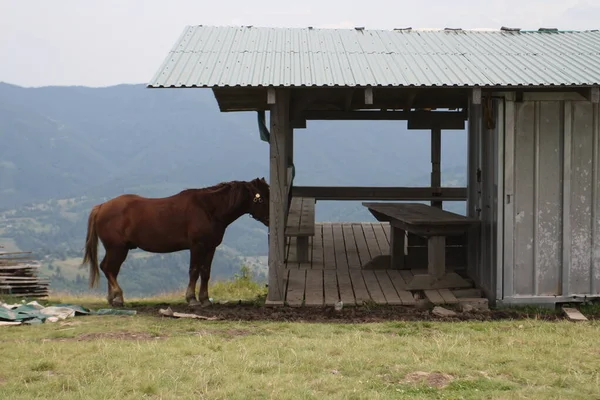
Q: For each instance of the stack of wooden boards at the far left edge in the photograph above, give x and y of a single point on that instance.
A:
(19, 276)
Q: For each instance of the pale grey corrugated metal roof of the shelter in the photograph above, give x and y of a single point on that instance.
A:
(249, 56)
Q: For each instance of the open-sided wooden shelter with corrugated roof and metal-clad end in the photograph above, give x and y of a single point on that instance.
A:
(530, 103)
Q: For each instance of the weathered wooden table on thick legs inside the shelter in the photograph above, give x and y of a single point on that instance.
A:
(423, 220)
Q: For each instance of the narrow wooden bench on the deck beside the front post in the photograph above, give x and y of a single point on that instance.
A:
(301, 224)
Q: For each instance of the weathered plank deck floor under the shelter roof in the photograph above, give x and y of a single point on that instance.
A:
(350, 262)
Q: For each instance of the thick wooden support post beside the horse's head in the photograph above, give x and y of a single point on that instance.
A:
(277, 173)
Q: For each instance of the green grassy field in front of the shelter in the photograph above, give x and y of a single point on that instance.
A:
(155, 357)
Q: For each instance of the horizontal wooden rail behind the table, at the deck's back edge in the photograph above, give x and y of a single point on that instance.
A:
(381, 193)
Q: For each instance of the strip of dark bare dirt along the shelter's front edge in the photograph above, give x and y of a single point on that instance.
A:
(246, 312)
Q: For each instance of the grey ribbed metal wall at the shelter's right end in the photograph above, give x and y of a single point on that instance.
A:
(550, 227)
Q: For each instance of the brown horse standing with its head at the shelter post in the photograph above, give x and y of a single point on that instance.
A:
(194, 219)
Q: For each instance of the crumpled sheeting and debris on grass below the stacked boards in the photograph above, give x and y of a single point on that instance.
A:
(34, 313)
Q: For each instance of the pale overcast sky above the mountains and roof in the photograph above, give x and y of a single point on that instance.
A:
(107, 42)
